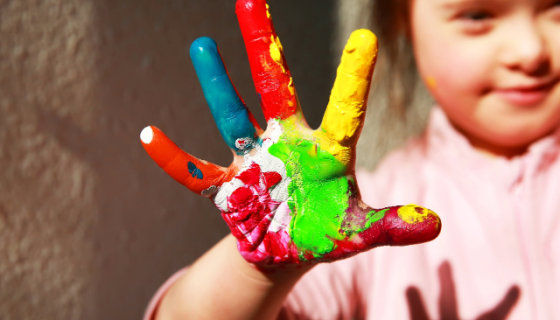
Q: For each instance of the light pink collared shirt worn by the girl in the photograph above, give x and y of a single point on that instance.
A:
(498, 253)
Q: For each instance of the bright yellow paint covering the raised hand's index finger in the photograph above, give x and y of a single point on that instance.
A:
(345, 112)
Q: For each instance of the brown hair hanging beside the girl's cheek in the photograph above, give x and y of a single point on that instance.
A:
(400, 76)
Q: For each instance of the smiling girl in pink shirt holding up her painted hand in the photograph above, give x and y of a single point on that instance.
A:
(487, 163)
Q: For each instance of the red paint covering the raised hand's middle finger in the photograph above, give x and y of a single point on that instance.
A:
(270, 81)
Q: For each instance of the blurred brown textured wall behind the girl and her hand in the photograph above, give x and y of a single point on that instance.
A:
(90, 227)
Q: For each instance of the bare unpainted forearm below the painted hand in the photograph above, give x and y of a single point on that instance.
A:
(222, 285)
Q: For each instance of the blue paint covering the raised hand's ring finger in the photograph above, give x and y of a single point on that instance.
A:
(229, 111)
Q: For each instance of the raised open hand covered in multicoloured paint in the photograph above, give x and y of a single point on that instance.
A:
(290, 195)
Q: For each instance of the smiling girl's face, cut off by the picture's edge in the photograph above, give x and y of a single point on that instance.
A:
(493, 66)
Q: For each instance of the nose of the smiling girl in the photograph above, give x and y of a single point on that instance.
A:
(527, 50)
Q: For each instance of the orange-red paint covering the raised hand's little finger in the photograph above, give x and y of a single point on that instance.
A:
(175, 162)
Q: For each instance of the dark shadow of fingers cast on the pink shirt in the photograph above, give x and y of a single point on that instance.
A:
(448, 309)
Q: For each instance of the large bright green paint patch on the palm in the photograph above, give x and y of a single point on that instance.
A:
(319, 193)
